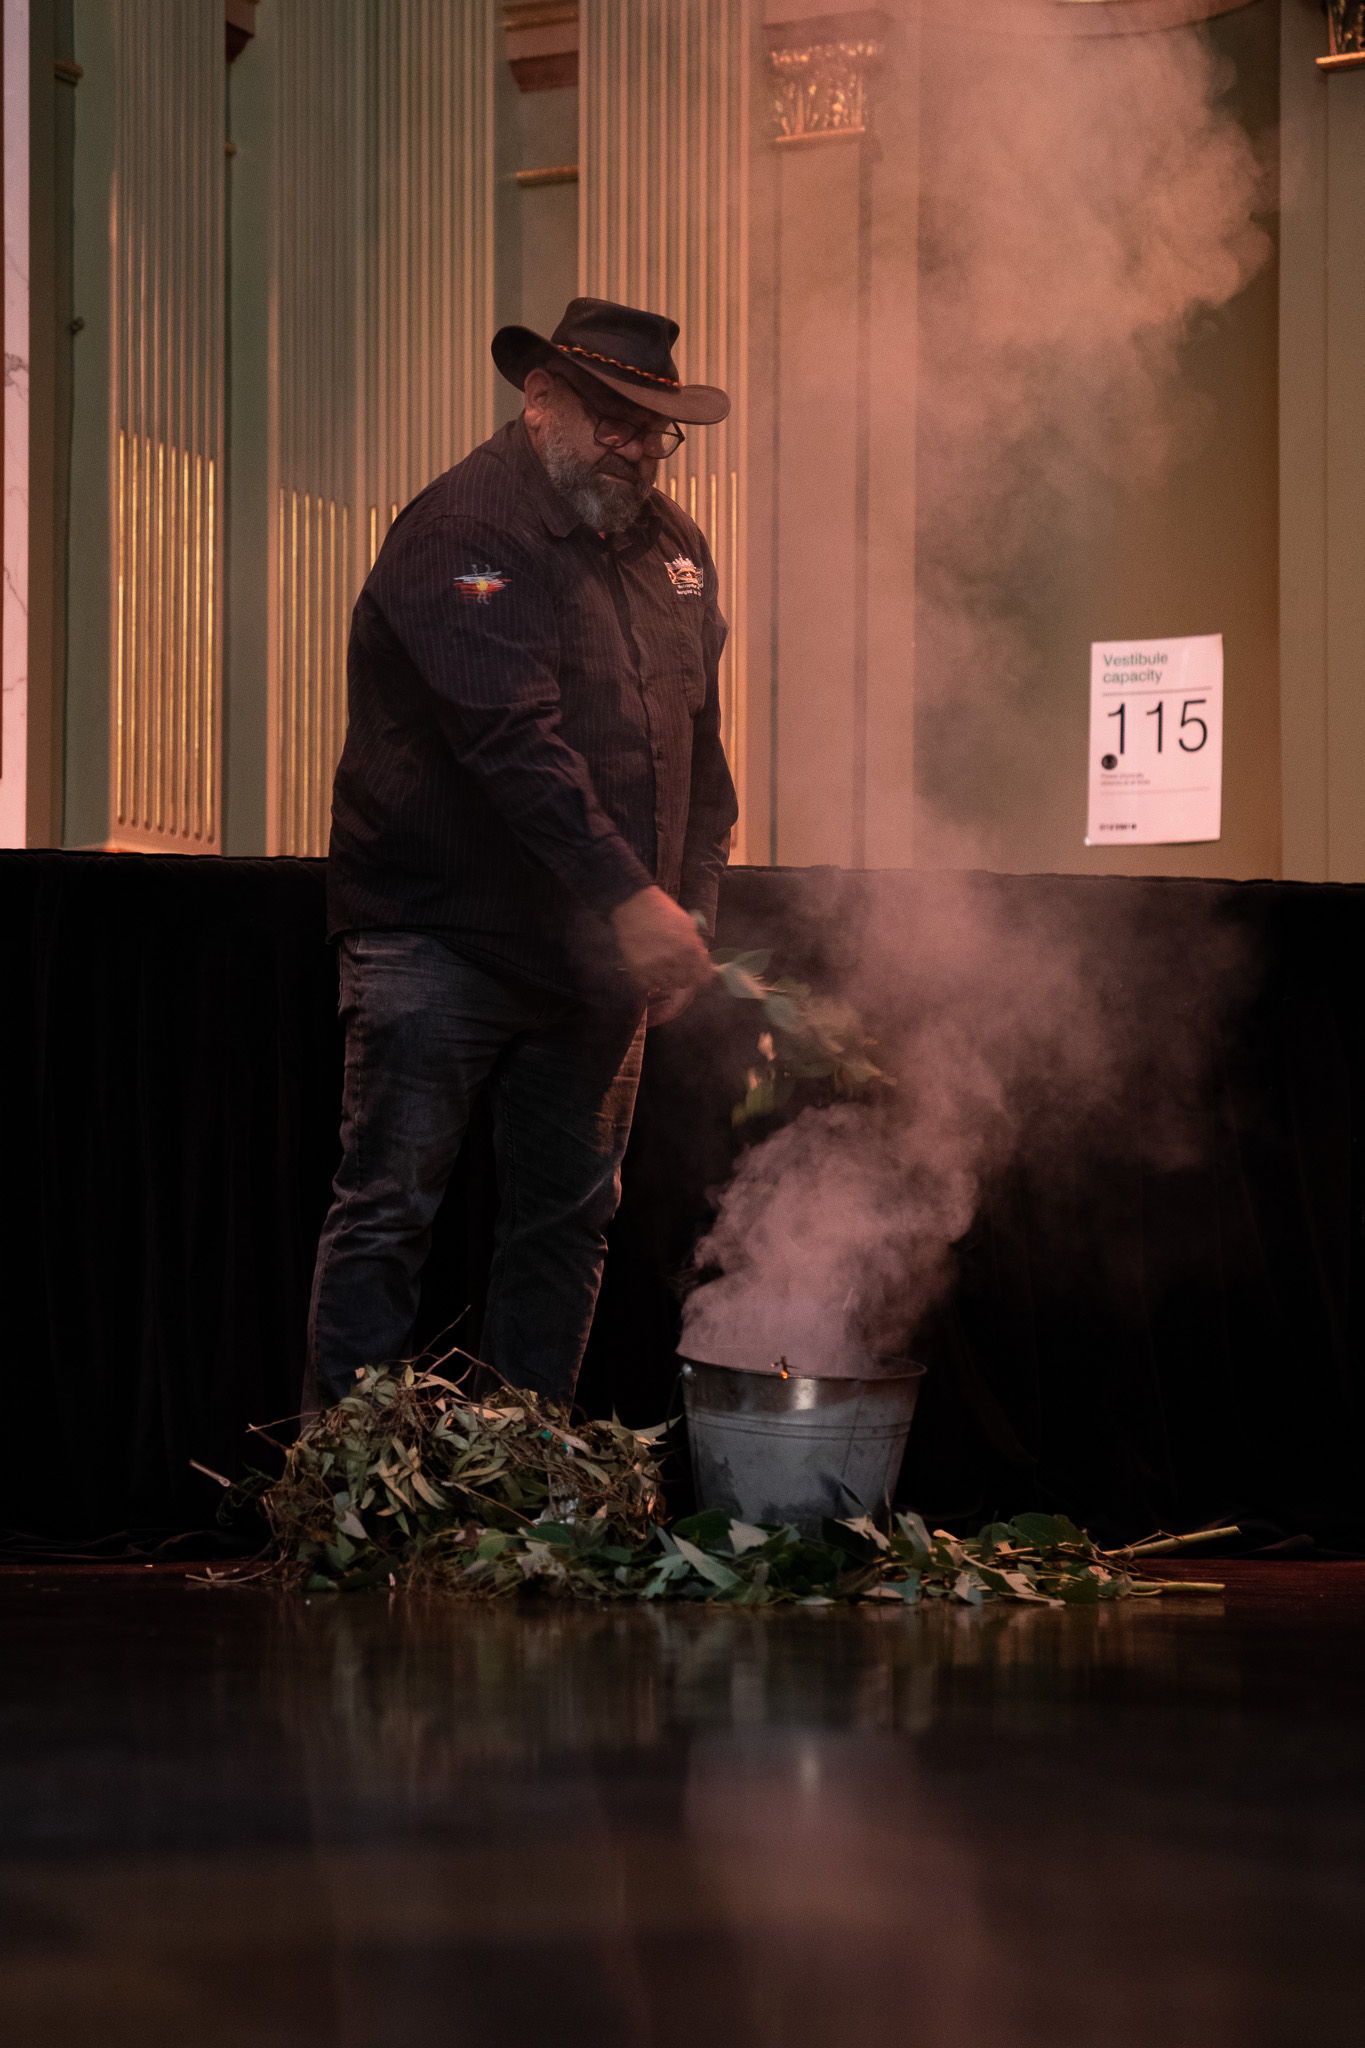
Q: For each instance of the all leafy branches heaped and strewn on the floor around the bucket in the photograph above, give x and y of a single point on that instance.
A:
(416, 1482)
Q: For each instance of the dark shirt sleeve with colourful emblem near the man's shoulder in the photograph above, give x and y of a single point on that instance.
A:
(480, 628)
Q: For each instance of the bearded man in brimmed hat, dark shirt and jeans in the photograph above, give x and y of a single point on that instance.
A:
(531, 818)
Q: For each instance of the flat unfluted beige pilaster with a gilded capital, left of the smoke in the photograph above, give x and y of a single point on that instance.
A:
(836, 423)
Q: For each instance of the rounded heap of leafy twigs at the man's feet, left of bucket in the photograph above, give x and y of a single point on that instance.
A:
(412, 1480)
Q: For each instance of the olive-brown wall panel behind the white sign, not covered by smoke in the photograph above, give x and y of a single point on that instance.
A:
(1190, 550)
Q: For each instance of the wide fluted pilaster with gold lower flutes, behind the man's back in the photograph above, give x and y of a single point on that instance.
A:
(384, 312)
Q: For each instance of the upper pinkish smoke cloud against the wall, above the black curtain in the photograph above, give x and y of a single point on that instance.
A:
(1088, 206)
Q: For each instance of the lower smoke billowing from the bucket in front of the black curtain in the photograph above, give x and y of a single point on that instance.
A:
(1018, 1021)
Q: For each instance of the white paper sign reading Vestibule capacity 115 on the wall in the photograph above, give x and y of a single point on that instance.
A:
(1157, 742)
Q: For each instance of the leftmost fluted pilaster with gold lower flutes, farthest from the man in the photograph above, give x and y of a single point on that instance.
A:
(169, 304)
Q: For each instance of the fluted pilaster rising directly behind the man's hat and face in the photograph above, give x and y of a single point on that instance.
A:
(664, 222)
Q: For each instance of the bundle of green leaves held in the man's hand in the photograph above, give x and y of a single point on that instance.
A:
(807, 1039)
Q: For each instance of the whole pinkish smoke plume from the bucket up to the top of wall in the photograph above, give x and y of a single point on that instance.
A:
(1086, 204)
